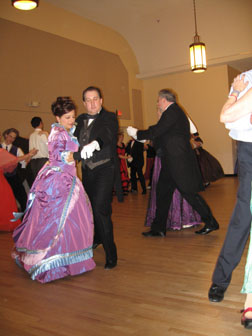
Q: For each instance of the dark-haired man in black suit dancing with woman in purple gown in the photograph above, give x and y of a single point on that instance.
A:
(97, 134)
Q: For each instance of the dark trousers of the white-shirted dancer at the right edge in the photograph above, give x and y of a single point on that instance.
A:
(240, 223)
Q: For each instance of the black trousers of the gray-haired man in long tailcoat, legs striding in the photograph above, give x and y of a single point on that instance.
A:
(165, 189)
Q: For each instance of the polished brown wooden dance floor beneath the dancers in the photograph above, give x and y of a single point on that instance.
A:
(159, 287)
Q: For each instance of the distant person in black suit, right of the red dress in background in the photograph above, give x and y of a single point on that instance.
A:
(135, 150)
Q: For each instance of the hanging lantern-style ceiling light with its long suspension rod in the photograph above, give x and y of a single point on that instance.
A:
(197, 50)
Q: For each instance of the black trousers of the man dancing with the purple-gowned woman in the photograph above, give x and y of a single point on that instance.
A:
(98, 183)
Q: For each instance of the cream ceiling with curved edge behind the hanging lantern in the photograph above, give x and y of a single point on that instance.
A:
(160, 31)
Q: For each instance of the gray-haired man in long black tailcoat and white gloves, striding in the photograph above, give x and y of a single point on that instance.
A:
(180, 170)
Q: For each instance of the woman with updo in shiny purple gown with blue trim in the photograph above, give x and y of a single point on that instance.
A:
(56, 235)
